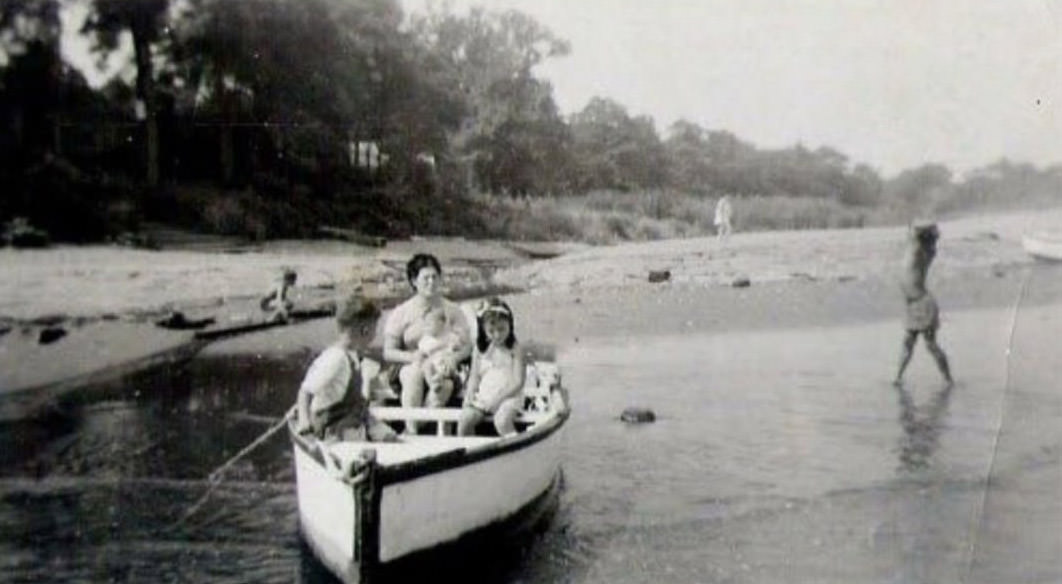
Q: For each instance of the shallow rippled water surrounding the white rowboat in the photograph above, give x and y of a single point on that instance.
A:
(780, 456)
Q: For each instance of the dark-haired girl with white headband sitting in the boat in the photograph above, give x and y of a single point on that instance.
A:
(498, 376)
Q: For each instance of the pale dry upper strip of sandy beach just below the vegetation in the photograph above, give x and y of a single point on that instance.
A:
(93, 282)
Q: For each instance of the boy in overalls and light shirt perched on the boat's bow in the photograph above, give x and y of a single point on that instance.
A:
(332, 404)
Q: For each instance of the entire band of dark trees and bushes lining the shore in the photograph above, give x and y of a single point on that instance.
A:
(270, 118)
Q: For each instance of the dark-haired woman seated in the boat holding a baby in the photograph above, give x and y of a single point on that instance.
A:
(408, 324)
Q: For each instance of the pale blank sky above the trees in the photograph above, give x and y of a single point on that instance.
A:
(894, 84)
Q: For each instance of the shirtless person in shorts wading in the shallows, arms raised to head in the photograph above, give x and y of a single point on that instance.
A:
(922, 316)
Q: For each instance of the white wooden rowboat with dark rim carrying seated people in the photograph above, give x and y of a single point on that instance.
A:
(369, 509)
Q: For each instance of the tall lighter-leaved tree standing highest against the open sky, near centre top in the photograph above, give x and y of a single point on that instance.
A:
(511, 136)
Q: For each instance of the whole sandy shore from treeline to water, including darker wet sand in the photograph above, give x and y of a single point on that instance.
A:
(792, 280)
